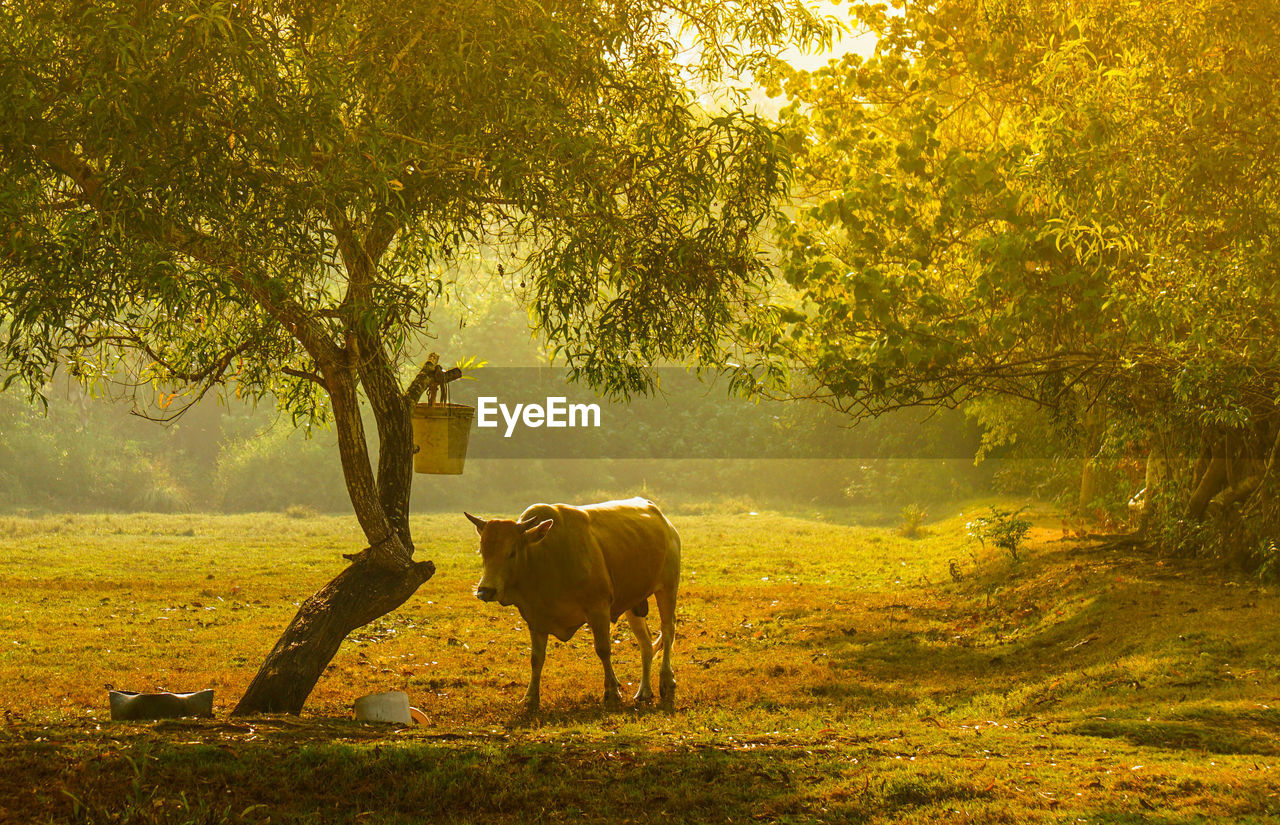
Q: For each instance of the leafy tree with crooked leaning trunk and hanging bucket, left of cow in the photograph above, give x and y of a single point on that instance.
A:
(271, 196)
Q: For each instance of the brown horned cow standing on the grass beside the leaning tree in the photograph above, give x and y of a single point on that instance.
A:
(565, 567)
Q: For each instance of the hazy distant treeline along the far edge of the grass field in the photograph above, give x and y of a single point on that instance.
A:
(710, 448)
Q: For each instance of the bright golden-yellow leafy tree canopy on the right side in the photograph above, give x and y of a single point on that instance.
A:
(1066, 207)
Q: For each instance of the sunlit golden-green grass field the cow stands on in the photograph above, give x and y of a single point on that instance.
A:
(829, 673)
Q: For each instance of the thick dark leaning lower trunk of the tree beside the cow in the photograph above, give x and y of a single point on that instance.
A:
(359, 595)
